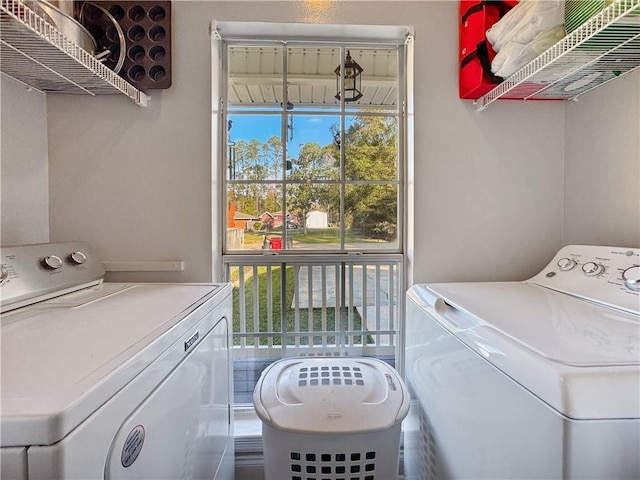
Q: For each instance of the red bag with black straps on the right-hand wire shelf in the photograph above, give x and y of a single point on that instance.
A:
(476, 54)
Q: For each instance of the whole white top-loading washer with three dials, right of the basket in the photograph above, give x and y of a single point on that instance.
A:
(536, 379)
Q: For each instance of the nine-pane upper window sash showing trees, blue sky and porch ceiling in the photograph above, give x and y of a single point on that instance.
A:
(304, 169)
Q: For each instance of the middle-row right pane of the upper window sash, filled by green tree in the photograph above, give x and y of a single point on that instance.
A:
(371, 151)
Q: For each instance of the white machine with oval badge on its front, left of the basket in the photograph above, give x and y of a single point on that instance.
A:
(108, 380)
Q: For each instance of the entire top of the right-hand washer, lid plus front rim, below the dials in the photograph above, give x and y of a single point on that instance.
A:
(581, 358)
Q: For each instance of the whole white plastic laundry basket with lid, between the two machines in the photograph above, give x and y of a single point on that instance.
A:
(331, 419)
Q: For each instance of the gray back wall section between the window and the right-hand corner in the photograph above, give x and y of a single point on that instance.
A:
(488, 185)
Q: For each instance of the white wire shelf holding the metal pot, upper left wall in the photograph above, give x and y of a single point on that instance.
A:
(34, 52)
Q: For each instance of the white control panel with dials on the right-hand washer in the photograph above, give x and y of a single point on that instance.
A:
(606, 275)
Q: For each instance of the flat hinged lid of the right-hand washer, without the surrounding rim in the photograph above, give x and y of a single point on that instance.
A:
(556, 326)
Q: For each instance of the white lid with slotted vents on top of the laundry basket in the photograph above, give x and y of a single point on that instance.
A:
(331, 395)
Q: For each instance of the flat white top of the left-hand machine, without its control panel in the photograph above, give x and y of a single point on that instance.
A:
(62, 359)
